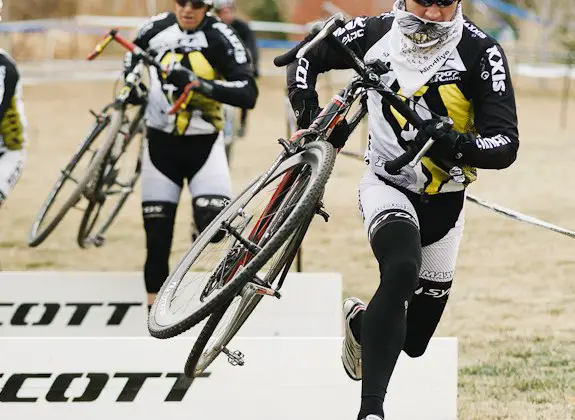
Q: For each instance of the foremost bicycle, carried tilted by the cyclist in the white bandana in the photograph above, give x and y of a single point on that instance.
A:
(259, 246)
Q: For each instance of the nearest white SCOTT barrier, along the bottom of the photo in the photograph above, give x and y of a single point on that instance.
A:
(283, 379)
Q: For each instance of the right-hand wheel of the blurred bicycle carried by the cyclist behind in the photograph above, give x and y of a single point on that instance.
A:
(121, 170)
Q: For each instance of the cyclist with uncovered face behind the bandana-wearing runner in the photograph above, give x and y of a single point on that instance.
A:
(188, 145)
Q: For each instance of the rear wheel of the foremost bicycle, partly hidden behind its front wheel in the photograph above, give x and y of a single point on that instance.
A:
(225, 323)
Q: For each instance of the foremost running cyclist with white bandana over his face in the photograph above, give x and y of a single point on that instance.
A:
(414, 220)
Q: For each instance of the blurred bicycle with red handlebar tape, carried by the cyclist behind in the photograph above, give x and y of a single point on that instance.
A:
(101, 176)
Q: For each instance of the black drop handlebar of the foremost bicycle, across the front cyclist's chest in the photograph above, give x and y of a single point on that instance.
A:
(370, 73)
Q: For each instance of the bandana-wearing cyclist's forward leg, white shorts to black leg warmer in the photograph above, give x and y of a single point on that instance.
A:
(393, 231)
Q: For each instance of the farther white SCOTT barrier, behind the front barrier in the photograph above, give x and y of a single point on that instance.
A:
(89, 304)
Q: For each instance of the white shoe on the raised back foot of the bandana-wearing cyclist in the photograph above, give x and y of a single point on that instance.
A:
(351, 349)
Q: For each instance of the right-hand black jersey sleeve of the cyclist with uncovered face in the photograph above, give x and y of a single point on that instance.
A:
(229, 57)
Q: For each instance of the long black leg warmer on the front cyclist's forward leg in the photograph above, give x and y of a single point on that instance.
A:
(396, 244)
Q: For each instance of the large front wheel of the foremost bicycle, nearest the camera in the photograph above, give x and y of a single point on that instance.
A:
(256, 224)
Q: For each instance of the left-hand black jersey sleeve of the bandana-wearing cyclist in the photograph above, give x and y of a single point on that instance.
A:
(357, 34)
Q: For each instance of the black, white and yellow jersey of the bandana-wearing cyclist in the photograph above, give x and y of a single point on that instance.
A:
(473, 87)
